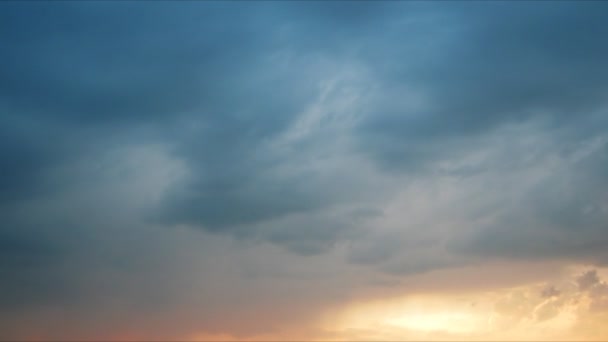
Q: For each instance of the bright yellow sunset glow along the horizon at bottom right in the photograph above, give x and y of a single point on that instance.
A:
(519, 313)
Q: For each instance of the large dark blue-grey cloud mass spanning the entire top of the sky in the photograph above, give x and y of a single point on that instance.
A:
(225, 114)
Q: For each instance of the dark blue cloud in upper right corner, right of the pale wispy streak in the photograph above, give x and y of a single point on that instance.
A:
(481, 67)
